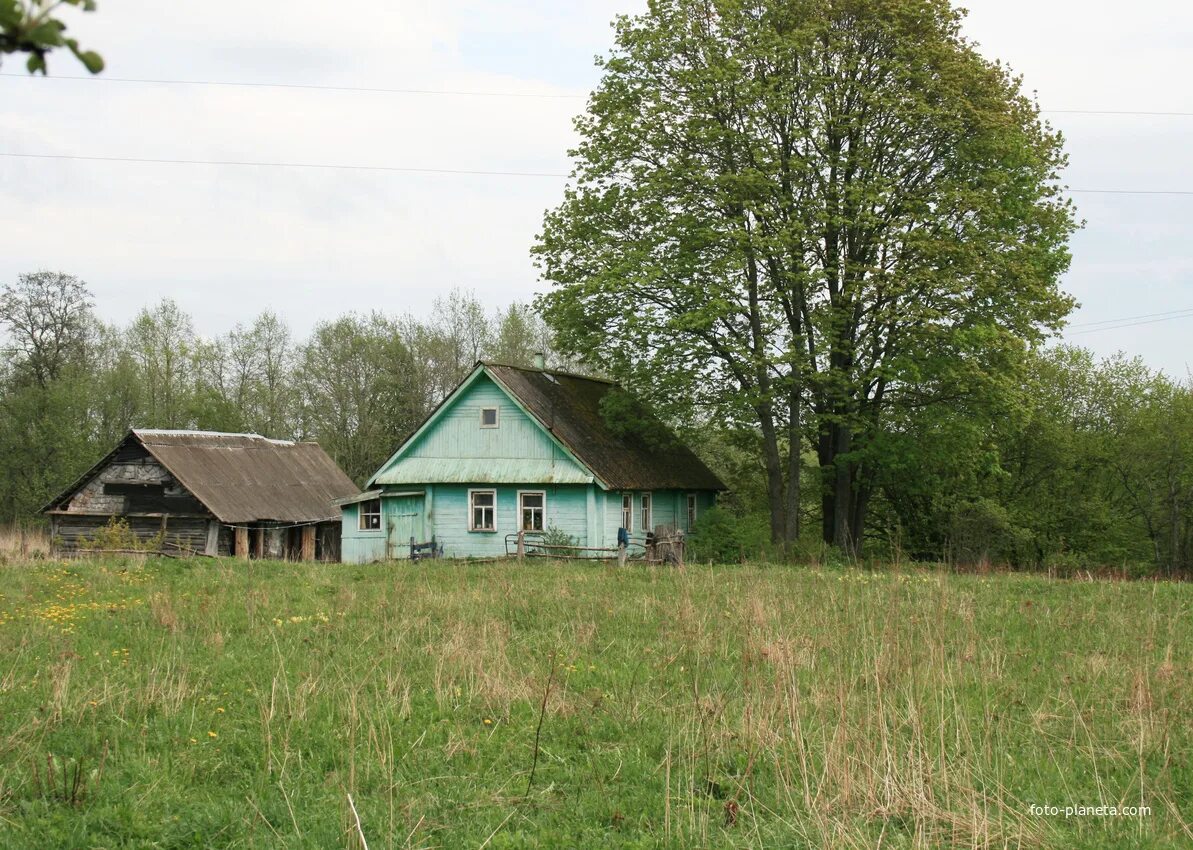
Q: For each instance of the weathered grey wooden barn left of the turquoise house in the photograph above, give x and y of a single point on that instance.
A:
(209, 494)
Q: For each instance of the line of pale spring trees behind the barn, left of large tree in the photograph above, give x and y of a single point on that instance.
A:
(71, 386)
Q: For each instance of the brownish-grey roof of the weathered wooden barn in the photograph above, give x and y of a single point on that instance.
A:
(244, 478)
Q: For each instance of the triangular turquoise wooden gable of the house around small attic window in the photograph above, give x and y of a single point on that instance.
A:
(458, 449)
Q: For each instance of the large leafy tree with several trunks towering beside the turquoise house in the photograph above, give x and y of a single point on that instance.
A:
(809, 218)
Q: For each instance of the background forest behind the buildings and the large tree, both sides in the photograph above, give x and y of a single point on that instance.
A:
(1075, 465)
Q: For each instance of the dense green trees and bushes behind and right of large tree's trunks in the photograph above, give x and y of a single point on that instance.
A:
(1081, 465)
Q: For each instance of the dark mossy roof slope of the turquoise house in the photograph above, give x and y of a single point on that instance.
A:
(570, 408)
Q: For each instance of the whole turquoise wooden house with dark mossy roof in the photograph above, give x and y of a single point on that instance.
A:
(515, 451)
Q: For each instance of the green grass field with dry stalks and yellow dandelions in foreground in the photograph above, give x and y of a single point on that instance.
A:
(196, 705)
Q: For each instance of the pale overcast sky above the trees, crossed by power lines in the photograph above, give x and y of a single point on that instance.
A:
(227, 243)
